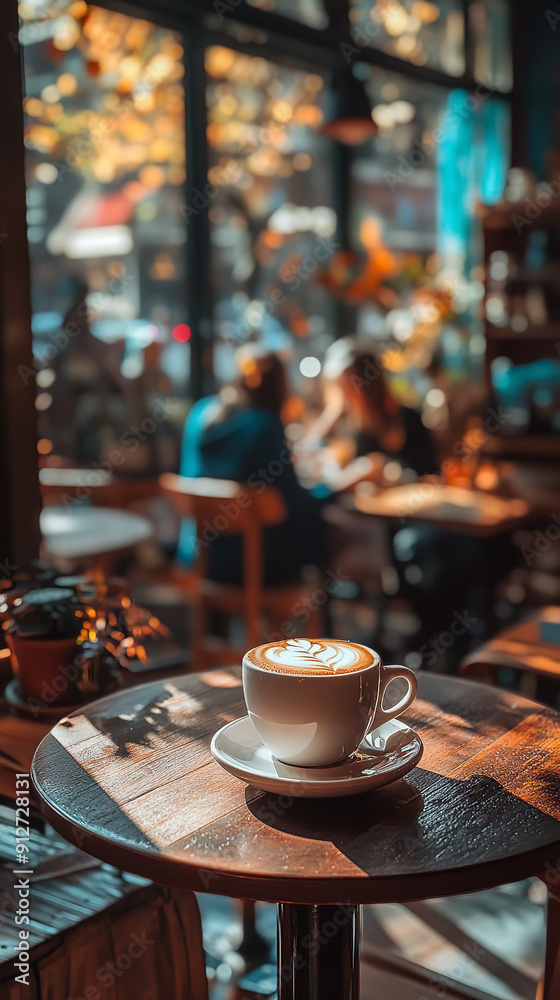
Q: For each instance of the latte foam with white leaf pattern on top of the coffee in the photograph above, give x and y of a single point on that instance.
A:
(311, 656)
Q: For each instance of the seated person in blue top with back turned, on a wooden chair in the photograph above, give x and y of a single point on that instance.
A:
(239, 435)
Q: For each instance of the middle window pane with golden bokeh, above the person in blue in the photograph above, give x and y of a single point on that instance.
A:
(273, 225)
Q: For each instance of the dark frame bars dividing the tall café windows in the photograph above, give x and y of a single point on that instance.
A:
(293, 44)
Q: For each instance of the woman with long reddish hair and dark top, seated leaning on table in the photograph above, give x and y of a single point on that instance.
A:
(439, 571)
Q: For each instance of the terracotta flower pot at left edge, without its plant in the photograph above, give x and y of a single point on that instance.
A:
(44, 669)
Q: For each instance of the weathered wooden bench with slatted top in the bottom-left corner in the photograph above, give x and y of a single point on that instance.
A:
(85, 919)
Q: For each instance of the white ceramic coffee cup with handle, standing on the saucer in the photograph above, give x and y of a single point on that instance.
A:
(314, 720)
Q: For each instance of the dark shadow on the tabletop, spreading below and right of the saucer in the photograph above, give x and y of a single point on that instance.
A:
(424, 823)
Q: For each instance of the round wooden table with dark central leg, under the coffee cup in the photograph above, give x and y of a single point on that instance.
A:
(130, 779)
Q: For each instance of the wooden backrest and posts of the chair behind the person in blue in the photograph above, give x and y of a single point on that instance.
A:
(224, 507)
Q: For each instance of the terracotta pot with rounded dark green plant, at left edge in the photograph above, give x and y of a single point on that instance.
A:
(41, 636)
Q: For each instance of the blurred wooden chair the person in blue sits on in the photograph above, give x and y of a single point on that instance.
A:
(223, 507)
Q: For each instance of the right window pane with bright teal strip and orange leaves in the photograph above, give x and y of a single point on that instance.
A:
(413, 194)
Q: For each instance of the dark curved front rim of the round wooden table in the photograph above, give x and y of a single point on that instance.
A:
(274, 889)
